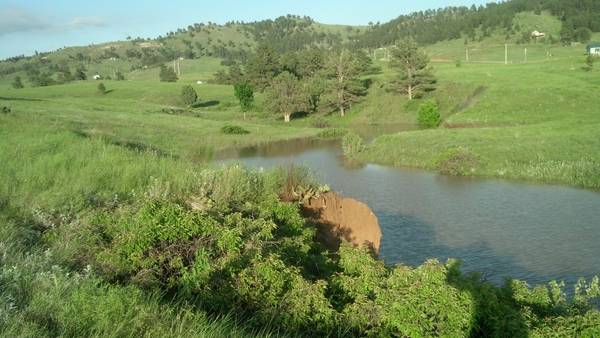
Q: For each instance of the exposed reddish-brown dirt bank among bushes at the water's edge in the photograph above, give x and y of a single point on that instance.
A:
(347, 219)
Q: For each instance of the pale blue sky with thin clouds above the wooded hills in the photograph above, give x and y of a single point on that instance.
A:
(43, 25)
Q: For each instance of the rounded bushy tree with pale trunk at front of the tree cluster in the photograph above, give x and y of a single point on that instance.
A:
(285, 95)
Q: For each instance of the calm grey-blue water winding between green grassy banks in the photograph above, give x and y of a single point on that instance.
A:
(502, 229)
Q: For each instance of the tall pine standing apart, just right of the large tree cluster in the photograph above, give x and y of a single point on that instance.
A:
(413, 77)
